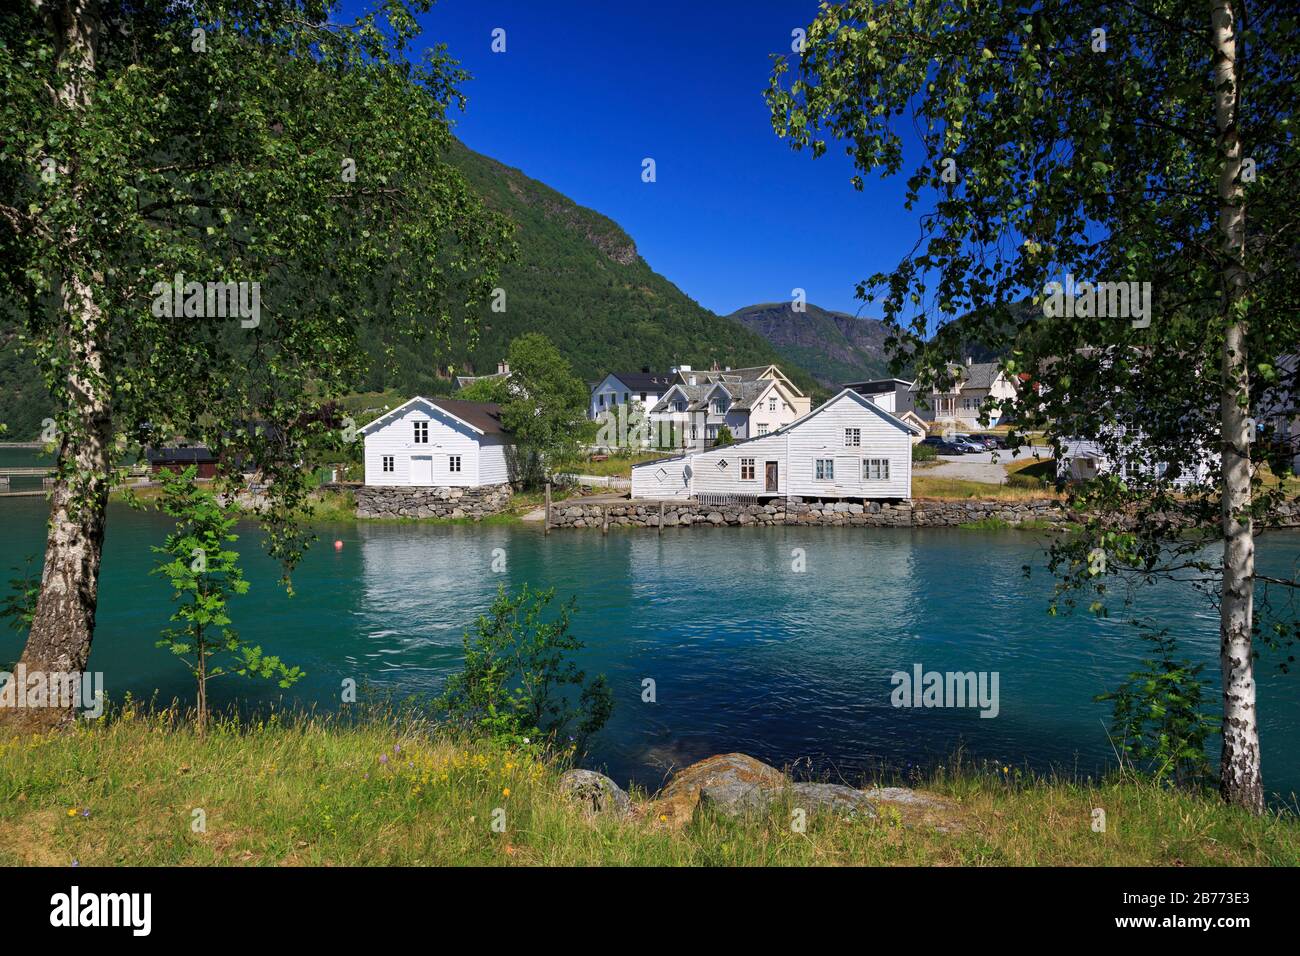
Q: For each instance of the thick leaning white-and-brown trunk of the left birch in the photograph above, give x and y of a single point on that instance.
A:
(64, 621)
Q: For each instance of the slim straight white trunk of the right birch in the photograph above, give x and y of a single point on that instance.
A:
(1241, 781)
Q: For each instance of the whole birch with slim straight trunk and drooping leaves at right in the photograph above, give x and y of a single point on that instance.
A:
(1142, 158)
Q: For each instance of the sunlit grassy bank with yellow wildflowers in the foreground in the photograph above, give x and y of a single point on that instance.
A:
(315, 791)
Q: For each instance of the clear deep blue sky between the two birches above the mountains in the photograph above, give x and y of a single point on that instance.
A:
(587, 89)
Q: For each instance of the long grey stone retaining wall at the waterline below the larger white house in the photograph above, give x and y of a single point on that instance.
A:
(879, 514)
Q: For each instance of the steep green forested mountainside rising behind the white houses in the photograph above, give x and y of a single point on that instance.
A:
(578, 279)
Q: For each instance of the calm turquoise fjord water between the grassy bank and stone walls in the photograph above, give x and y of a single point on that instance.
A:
(746, 654)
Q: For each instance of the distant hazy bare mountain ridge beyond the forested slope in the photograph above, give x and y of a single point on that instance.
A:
(834, 348)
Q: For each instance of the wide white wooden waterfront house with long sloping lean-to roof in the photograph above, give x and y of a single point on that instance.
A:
(848, 448)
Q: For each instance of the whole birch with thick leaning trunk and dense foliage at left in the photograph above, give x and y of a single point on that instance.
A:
(206, 206)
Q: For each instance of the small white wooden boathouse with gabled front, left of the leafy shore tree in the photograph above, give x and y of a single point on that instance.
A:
(437, 443)
